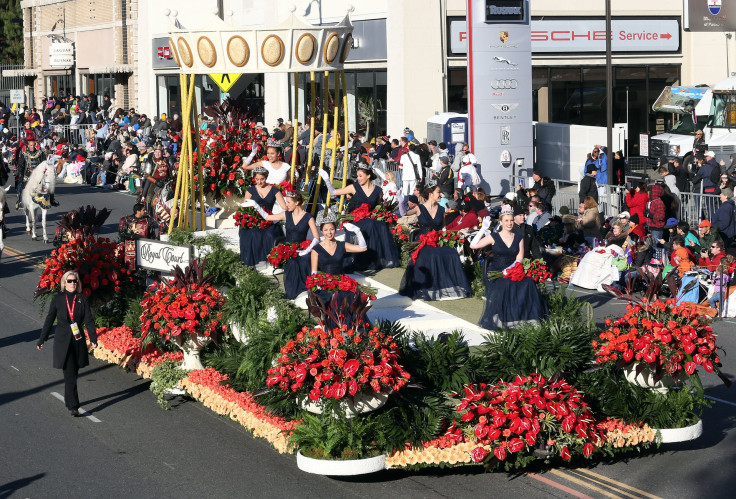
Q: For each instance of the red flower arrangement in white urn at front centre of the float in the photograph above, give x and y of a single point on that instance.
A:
(337, 363)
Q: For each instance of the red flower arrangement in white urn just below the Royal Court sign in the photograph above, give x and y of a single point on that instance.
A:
(185, 308)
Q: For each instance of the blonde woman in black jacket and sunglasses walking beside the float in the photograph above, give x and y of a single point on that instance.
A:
(70, 308)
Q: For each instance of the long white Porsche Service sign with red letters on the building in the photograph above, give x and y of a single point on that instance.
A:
(582, 35)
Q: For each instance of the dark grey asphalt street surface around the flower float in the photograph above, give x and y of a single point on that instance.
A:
(129, 447)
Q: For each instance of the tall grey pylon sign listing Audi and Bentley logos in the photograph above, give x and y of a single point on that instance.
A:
(499, 86)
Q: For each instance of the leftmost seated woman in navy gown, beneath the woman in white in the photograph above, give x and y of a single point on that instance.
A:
(256, 244)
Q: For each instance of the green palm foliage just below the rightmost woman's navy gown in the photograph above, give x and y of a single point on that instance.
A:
(562, 343)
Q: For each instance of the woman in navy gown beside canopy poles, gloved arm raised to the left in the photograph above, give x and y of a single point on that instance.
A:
(382, 252)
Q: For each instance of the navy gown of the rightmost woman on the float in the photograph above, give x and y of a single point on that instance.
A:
(510, 302)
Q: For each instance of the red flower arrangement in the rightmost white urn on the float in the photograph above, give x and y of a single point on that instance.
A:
(669, 338)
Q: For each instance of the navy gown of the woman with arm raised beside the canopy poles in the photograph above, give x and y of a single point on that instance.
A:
(382, 252)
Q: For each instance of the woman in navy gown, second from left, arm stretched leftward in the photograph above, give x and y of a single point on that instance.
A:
(298, 224)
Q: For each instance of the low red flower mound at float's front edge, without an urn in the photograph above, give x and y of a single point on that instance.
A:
(513, 419)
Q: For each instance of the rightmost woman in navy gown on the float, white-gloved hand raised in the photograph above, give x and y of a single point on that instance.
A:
(507, 302)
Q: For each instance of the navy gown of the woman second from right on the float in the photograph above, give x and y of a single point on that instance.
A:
(438, 273)
